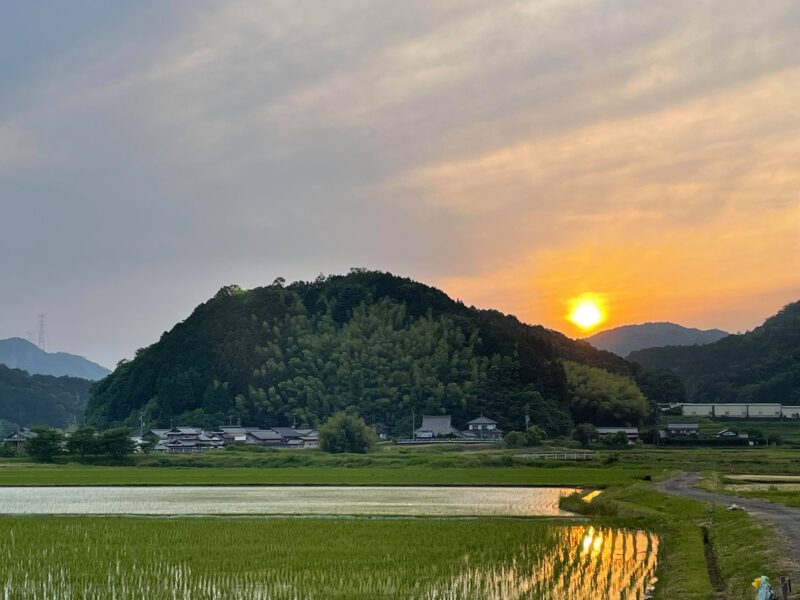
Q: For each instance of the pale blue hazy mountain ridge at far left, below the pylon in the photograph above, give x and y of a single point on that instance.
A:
(18, 353)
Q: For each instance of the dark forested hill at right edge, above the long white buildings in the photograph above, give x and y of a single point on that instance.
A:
(762, 365)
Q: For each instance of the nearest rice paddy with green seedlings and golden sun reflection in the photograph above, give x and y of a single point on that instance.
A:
(121, 558)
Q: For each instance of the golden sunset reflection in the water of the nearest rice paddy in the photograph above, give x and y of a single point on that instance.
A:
(583, 563)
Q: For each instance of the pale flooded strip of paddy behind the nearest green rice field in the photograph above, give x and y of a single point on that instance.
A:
(284, 500)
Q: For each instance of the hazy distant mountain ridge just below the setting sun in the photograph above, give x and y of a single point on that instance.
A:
(630, 338)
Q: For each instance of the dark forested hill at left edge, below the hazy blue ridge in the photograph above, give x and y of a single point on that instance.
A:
(40, 399)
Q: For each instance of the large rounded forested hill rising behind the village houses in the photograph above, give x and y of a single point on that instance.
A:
(381, 344)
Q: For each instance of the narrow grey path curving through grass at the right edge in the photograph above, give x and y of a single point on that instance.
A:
(785, 519)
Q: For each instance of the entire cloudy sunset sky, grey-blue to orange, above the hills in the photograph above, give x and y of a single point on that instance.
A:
(515, 154)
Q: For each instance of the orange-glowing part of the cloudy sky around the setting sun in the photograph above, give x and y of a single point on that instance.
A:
(690, 214)
